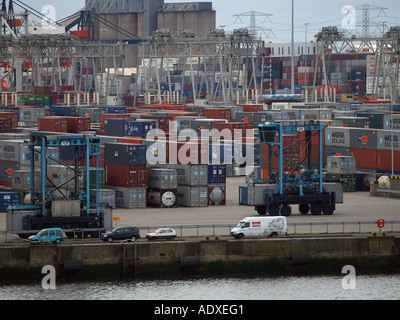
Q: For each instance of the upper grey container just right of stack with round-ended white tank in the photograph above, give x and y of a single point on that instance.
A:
(191, 175)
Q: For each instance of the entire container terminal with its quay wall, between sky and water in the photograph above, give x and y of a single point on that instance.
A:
(123, 118)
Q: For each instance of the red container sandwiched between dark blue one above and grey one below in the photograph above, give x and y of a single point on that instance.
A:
(126, 176)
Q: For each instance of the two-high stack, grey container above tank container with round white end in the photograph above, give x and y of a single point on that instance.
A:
(163, 188)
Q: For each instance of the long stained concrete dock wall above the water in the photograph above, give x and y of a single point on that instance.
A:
(213, 257)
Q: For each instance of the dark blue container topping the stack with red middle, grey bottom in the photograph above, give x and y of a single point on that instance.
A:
(125, 154)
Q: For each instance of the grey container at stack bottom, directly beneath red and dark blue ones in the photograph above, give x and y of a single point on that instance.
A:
(129, 198)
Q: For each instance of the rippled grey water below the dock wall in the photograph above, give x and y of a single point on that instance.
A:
(367, 287)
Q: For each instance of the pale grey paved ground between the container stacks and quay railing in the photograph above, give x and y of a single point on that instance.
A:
(358, 206)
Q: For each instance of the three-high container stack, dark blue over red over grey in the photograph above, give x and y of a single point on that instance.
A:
(126, 173)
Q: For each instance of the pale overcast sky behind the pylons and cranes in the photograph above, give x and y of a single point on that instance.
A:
(318, 13)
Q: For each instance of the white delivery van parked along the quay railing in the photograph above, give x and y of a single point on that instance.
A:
(260, 227)
